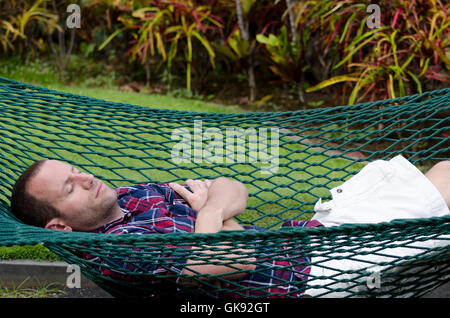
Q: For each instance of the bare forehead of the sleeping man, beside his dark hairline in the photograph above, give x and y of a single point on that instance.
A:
(48, 181)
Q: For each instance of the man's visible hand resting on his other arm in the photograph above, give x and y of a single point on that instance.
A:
(197, 198)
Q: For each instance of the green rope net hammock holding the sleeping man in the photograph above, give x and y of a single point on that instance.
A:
(316, 149)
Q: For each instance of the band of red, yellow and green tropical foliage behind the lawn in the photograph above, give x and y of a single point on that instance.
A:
(308, 46)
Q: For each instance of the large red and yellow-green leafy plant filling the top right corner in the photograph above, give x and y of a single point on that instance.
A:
(395, 59)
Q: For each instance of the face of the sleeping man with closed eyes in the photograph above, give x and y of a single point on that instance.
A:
(83, 201)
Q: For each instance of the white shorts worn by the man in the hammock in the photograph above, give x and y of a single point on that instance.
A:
(382, 191)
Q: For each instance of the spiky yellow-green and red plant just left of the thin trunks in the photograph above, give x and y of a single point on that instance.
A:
(162, 27)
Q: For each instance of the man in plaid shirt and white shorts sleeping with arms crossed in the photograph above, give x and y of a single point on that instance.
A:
(58, 196)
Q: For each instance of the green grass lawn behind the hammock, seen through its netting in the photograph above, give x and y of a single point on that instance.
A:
(290, 193)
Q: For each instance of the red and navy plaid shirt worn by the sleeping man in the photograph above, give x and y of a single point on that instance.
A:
(150, 208)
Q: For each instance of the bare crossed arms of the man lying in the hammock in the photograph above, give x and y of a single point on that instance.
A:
(217, 203)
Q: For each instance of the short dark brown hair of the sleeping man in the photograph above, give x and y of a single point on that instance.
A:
(27, 208)
